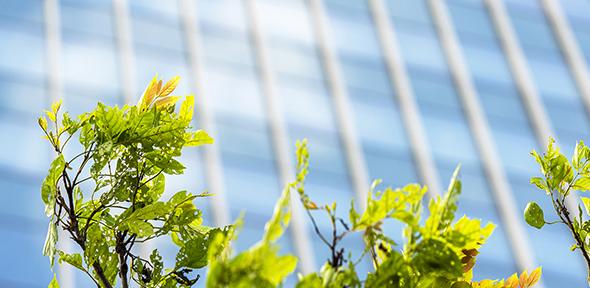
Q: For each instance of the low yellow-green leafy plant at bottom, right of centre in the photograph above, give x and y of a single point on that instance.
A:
(438, 252)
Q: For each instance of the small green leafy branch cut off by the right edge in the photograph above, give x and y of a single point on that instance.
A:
(561, 178)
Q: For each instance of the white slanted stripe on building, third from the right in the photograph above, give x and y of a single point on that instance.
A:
(481, 132)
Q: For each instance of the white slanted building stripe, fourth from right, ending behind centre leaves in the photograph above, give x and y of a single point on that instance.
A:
(409, 110)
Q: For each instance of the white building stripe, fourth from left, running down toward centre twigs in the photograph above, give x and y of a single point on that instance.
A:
(280, 140)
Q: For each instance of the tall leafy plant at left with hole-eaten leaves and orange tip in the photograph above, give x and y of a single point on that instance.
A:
(108, 196)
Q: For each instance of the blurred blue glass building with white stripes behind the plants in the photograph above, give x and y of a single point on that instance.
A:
(402, 90)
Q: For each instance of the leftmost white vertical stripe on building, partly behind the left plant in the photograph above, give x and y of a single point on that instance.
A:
(66, 273)
